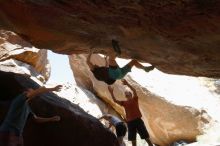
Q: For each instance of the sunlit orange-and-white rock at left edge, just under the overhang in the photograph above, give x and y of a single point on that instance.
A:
(14, 47)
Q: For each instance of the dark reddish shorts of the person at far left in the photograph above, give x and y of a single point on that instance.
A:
(10, 139)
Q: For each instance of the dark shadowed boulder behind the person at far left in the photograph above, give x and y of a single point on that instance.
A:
(75, 128)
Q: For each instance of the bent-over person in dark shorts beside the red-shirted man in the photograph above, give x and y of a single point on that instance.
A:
(119, 126)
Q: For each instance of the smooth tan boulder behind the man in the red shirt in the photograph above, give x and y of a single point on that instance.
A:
(166, 122)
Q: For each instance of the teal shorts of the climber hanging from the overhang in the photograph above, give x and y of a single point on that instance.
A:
(117, 72)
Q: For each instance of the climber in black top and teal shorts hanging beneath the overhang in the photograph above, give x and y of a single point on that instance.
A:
(111, 71)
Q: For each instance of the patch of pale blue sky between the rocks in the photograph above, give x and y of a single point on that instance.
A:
(60, 69)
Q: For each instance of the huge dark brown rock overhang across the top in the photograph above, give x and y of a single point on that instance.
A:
(177, 36)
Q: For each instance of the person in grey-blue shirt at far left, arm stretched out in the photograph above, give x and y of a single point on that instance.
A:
(14, 122)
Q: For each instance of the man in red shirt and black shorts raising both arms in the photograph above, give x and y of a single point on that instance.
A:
(133, 115)
